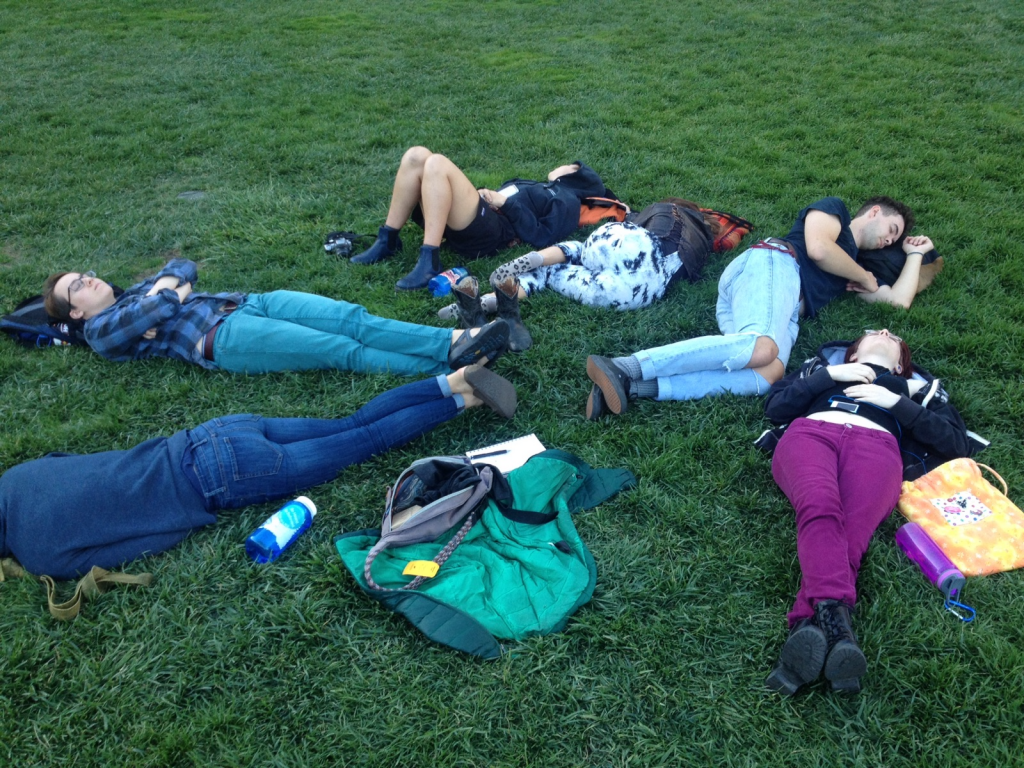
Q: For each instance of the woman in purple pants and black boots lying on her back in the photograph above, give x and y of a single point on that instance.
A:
(856, 430)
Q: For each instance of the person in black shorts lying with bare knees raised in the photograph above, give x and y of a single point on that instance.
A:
(435, 193)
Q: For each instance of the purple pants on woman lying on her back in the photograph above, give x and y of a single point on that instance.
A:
(843, 482)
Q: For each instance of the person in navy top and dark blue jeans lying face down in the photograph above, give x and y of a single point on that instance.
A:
(62, 515)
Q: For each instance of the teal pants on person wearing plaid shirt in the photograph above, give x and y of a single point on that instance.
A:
(290, 331)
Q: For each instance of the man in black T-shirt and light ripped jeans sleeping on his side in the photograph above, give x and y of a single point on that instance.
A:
(761, 296)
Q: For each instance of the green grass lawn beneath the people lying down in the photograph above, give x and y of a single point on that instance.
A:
(291, 117)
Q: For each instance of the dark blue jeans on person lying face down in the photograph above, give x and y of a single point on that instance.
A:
(244, 459)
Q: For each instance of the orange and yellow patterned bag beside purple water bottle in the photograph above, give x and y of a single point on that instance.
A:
(978, 528)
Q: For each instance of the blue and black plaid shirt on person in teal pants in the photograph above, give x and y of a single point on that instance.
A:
(117, 333)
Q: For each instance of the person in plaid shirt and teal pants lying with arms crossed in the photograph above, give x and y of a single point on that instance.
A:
(257, 333)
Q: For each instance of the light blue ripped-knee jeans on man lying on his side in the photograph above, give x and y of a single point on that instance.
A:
(758, 295)
